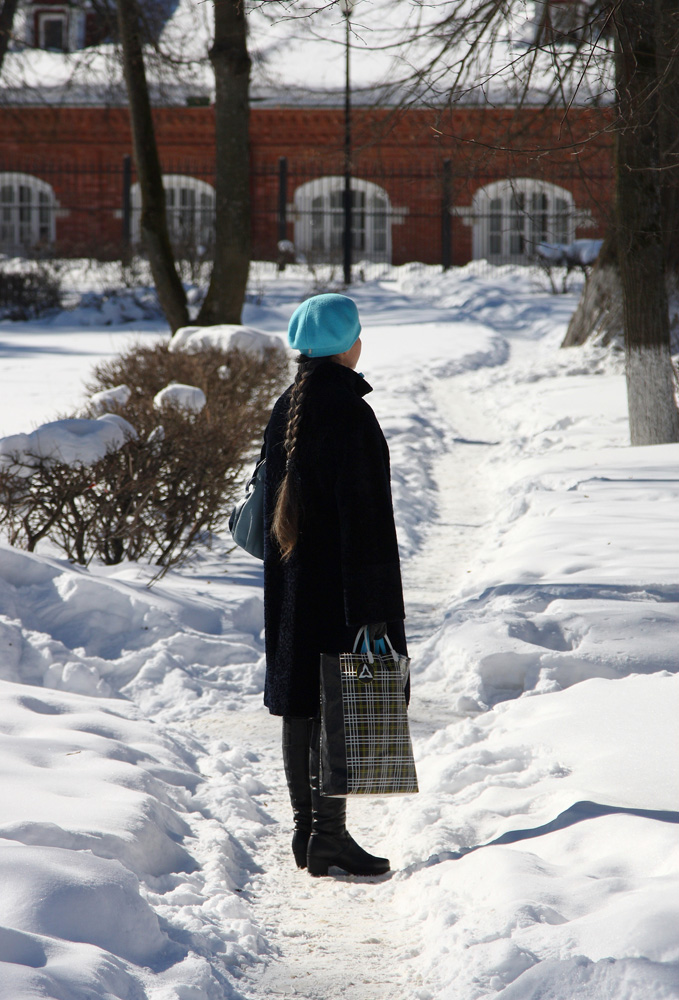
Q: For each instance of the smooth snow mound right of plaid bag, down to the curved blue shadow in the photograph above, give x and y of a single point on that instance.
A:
(517, 769)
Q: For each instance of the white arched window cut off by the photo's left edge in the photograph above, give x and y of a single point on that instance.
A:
(27, 209)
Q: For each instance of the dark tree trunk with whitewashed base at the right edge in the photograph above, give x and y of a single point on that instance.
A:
(653, 414)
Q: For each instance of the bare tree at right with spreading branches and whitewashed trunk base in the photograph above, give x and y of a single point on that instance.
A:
(624, 54)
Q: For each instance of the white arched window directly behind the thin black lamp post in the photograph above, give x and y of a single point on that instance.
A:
(319, 220)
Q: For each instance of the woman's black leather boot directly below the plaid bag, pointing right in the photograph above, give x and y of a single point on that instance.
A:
(330, 843)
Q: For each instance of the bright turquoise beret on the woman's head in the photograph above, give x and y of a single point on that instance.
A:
(324, 325)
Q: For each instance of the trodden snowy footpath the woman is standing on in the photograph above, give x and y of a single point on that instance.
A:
(343, 937)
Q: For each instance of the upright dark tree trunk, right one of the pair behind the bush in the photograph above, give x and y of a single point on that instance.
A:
(231, 64)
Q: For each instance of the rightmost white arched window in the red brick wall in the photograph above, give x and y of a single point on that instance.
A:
(511, 217)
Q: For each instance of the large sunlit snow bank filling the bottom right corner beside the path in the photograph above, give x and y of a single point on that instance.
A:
(564, 788)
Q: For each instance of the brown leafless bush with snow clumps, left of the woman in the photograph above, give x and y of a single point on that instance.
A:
(173, 479)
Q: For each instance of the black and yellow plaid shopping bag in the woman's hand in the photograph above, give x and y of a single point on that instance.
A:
(365, 739)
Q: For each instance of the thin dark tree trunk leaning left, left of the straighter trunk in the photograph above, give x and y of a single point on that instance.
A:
(153, 217)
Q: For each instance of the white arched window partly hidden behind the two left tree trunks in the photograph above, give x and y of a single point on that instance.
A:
(190, 211)
